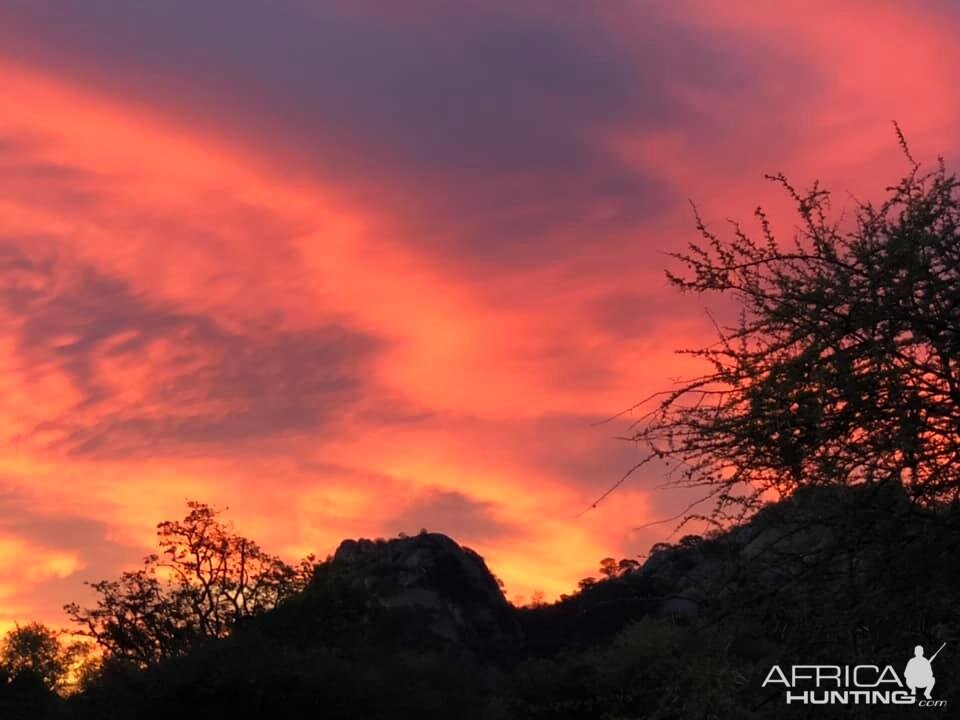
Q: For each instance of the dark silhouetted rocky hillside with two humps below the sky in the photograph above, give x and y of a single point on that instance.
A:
(417, 627)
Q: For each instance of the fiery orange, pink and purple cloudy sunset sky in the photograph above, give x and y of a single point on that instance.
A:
(353, 268)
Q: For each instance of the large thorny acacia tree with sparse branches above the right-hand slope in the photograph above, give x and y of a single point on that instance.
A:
(844, 364)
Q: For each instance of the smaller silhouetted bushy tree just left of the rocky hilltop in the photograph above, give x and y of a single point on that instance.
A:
(205, 580)
